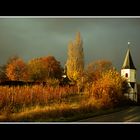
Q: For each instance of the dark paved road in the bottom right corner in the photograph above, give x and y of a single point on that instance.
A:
(131, 114)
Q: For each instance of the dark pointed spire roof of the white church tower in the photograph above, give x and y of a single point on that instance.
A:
(128, 62)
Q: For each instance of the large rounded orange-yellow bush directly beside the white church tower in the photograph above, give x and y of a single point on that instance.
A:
(109, 90)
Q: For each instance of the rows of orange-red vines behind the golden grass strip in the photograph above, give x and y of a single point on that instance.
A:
(15, 98)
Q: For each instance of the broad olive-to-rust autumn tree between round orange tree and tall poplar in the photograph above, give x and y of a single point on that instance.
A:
(41, 69)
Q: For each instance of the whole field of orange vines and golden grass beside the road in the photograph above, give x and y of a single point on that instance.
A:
(38, 103)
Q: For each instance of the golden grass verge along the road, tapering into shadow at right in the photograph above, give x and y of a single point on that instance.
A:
(57, 113)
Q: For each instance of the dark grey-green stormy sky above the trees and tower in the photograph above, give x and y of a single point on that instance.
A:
(103, 38)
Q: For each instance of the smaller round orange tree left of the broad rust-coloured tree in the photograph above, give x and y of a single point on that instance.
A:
(16, 69)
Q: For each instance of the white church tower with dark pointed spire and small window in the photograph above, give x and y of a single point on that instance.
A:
(128, 71)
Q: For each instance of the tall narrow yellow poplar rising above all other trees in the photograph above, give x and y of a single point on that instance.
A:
(75, 61)
